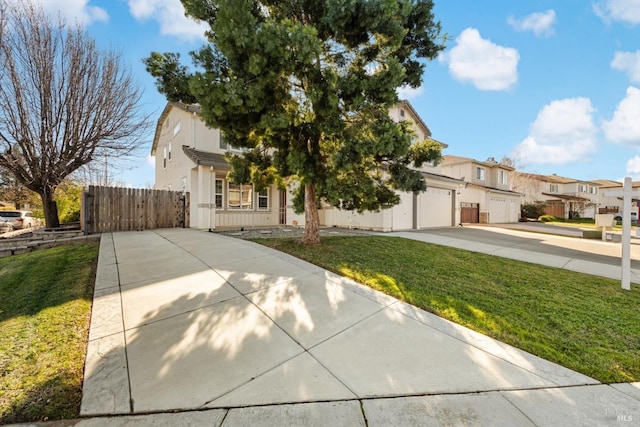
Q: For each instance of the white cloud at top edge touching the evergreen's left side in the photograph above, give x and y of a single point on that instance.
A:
(170, 16)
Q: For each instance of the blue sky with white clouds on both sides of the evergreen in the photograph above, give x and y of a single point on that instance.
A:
(556, 85)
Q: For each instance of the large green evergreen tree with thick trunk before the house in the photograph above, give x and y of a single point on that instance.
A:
(306, 87)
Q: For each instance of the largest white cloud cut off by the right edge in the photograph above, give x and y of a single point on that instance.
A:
(624, 127)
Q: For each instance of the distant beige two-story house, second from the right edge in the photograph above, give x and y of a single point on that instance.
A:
(563, 197)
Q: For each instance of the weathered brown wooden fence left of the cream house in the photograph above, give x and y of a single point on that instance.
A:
(106, 209)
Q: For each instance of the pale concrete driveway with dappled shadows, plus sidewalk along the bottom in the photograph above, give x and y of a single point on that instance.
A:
(193, 328)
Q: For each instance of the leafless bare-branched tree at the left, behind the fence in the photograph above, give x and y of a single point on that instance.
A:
(63, 101)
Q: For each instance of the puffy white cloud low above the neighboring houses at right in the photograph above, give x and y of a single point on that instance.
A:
(563, 132)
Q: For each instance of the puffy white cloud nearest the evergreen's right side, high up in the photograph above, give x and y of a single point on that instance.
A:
(481, 62)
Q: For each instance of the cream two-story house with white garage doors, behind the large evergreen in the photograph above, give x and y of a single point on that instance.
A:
(190, 158)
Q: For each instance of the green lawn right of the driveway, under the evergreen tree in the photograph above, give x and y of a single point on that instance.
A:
(583, 322)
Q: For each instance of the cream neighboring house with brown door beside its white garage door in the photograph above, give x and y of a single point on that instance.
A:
(487, 198)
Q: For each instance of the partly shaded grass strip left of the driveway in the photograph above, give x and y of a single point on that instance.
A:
(45, 307)
